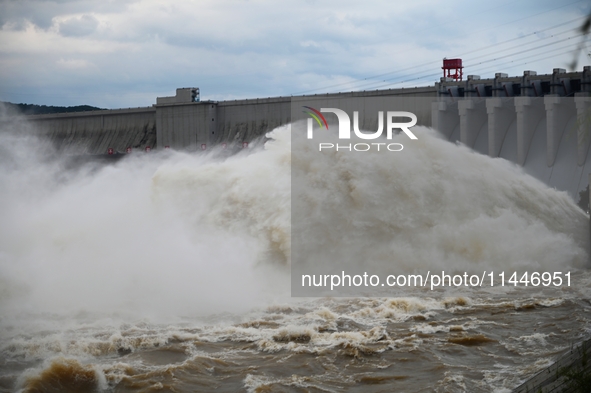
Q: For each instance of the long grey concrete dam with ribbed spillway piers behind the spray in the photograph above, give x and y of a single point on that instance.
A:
(541, 122)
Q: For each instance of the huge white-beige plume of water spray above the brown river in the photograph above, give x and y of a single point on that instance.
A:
(177, 234)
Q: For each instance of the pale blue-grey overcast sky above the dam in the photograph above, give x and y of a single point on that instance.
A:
(125, 53)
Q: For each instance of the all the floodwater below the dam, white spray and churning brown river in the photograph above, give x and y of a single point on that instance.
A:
(170, 273)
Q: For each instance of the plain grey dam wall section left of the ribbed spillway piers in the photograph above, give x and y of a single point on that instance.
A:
(180, 123)
